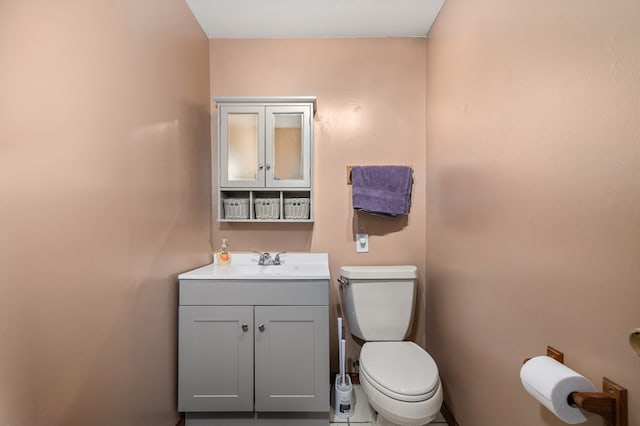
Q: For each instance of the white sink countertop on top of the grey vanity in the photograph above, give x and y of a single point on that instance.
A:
(244, 266)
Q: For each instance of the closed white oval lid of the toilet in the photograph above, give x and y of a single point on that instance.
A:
(400, 370)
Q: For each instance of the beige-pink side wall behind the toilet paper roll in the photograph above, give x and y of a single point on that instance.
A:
(533, 160)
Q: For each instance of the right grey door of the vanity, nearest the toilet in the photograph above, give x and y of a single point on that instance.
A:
(291, 358)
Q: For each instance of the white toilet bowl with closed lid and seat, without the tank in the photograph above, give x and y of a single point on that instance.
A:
(401, 382)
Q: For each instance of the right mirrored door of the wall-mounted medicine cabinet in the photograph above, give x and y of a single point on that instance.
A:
(288, 148)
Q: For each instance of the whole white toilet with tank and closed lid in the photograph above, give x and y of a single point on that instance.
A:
(400, 378)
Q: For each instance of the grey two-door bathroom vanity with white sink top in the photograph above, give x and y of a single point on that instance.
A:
(254, 342)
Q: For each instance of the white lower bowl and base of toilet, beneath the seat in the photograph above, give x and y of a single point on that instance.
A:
(402, 413)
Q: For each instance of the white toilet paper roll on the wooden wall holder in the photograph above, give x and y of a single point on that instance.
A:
(551, 382)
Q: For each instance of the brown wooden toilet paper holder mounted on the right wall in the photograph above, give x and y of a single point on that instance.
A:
(611, 404)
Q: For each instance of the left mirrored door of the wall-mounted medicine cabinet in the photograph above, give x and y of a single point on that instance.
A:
(242, 161)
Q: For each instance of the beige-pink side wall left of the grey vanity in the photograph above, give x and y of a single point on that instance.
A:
(104, 189)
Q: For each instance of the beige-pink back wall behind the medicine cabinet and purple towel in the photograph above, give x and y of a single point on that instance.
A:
(370, 110)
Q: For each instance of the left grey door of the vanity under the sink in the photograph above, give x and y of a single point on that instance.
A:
(215, 358)
